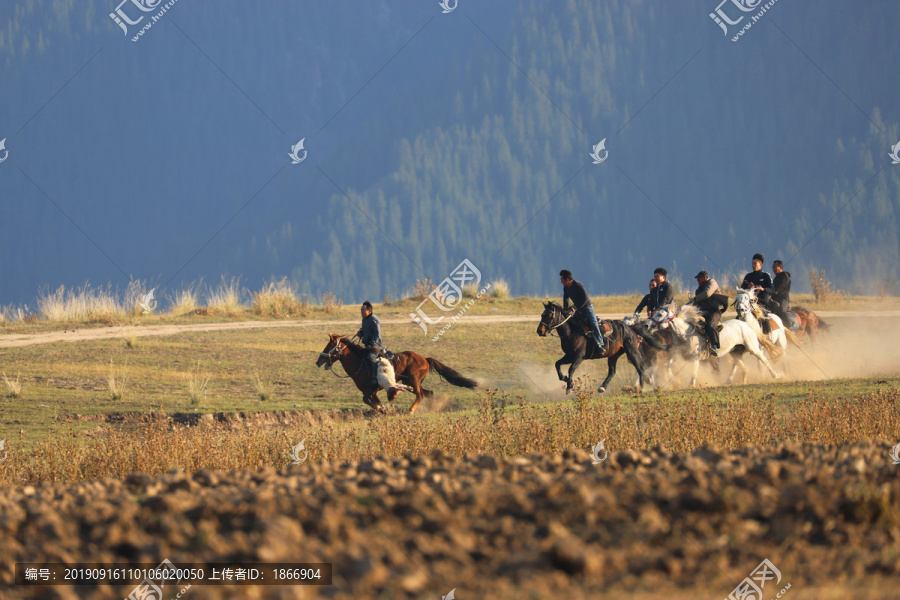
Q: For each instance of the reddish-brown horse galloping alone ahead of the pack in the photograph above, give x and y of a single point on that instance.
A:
(410, 368)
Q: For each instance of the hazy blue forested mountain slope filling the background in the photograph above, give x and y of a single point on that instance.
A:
(473, 142)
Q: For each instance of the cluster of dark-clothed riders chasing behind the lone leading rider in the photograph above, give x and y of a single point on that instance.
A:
(772, 293)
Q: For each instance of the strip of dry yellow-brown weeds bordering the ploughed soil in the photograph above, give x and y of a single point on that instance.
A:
(501, 425)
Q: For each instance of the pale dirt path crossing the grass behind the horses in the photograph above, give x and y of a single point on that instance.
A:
(13, 340)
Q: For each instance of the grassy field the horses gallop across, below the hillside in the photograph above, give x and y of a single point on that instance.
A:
(253, 370)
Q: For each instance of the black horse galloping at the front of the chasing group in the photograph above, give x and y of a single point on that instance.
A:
(620, 339)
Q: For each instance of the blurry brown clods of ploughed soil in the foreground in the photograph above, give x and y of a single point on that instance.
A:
(636, 525)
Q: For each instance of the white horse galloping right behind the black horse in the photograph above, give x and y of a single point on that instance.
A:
(735, 338)
